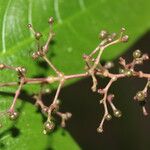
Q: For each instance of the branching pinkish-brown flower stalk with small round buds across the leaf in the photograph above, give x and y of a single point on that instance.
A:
(93, 69)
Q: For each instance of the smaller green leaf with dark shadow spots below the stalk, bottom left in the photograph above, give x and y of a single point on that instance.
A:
(26, 133)
